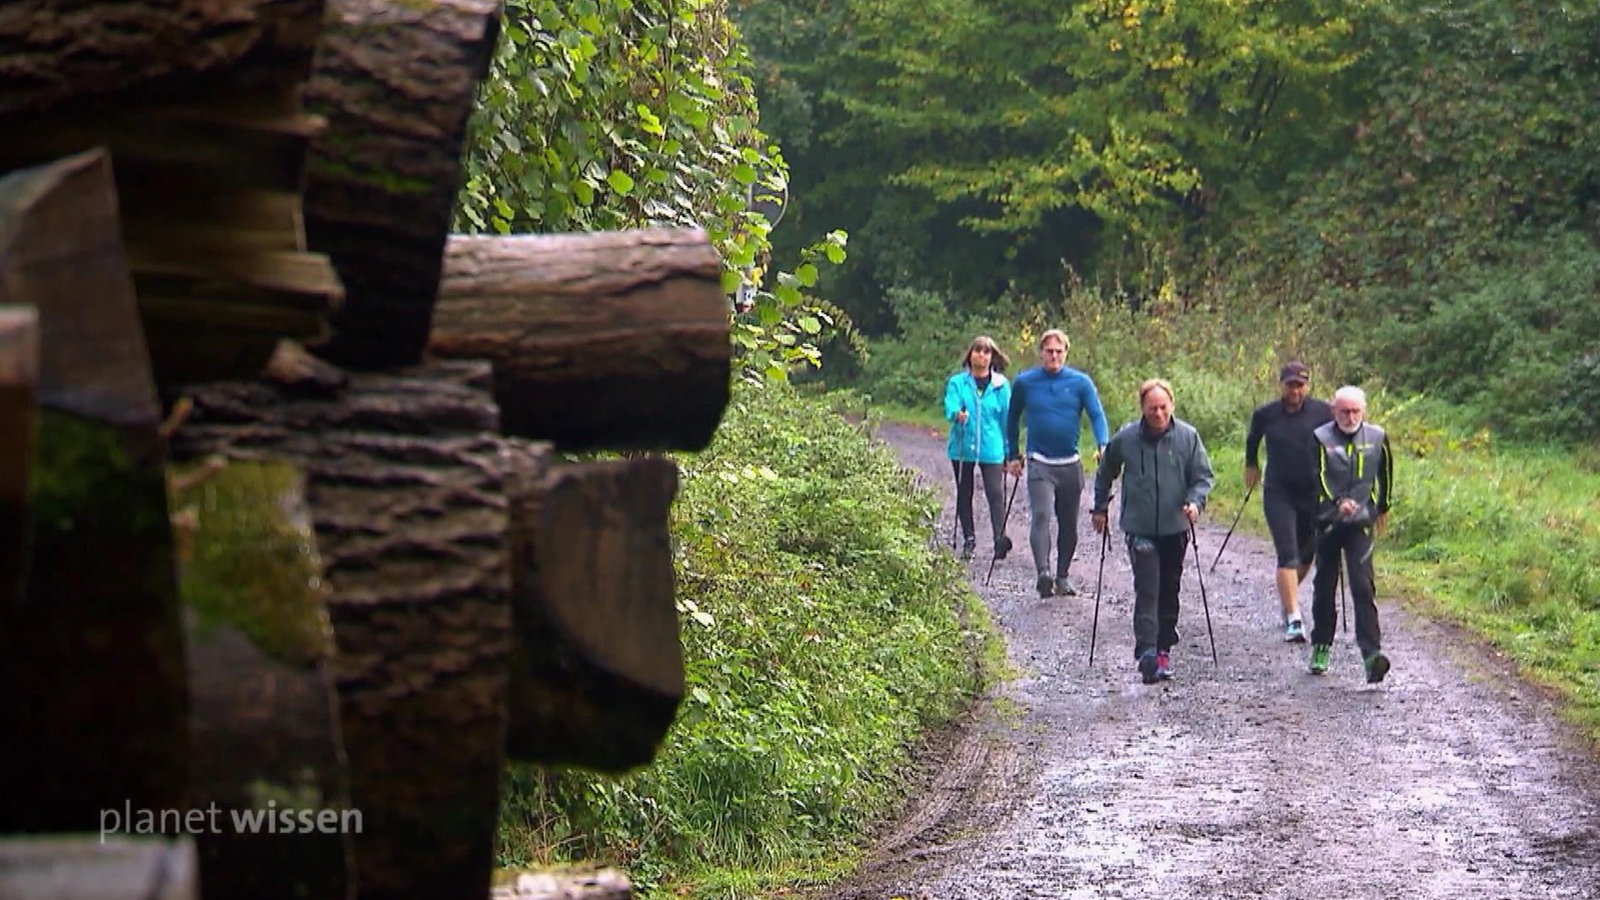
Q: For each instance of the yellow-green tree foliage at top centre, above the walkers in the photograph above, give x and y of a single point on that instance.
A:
(978, 147)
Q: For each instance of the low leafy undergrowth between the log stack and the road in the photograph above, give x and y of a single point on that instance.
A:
(823, 637)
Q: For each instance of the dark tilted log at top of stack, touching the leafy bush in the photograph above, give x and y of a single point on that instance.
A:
(398, 84)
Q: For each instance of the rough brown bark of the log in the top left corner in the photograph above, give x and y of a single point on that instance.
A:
(60, 54)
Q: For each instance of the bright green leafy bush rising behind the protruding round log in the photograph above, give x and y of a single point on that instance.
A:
(614, 115)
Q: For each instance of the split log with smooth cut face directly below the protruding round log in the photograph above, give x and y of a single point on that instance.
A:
(598, 670)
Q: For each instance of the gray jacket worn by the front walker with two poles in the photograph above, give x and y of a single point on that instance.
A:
(1159, 475)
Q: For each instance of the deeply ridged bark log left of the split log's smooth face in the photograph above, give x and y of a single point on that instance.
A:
(407, 499)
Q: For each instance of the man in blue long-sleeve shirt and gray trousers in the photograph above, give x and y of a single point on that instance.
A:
(1054, 398)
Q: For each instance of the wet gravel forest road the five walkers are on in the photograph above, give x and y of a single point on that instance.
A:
(1250, 779)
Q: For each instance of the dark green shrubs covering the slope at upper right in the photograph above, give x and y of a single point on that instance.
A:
(1455, 244)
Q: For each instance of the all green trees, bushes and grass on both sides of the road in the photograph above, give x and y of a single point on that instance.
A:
(1402, 193)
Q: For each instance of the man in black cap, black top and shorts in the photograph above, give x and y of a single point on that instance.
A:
(1290, 492)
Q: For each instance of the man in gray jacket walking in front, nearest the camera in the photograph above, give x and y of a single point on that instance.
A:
(1166, 481)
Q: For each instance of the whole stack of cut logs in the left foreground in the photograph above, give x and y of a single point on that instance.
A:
(223, 249)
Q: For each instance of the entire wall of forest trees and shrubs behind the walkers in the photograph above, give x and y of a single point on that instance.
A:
(1418, 179)
